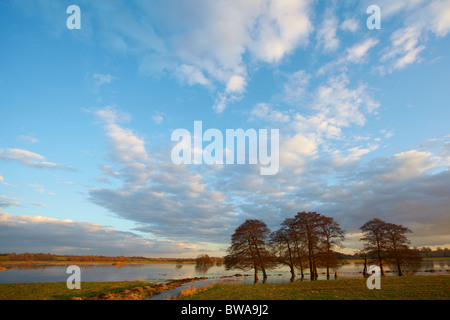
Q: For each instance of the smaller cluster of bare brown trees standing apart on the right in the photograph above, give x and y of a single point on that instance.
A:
(387, 243)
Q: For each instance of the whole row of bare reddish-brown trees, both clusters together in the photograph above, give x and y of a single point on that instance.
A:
(309, 241)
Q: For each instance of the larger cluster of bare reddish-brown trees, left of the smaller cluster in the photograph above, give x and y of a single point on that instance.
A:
(307, 241)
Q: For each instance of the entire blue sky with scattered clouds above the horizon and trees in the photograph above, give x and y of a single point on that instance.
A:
(86, 120)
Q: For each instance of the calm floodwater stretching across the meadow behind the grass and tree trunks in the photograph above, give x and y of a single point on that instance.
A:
(166, 272)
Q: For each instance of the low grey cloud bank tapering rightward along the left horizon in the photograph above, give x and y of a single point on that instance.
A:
(23, 233)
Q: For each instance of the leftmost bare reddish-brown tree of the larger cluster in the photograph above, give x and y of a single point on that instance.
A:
(248, 248)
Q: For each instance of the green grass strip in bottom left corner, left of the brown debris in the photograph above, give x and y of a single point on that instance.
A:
(59, 291)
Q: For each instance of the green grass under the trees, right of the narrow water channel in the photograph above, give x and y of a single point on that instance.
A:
(392, 288)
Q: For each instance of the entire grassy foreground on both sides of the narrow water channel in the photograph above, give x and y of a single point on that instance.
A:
(392, 288)
